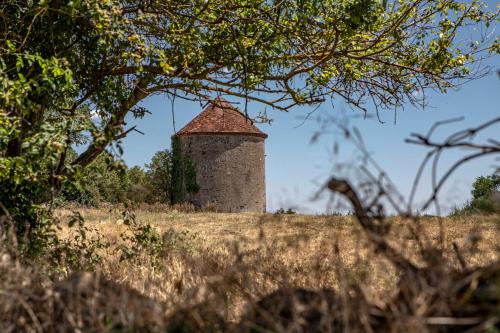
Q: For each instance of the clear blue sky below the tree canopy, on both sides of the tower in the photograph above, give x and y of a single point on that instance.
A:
(295, 168)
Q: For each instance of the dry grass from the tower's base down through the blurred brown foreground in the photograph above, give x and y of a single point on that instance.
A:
(161, 270)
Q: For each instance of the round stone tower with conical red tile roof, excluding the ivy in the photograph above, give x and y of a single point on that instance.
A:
(227, 151)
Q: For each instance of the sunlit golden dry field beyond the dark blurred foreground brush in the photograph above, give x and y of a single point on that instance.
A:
(237, 258)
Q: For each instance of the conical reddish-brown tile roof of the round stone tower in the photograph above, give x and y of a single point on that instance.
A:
(220, 117)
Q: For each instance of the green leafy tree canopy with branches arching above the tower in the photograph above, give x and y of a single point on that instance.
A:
(62, 59)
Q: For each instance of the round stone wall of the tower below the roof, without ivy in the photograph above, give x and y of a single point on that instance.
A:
(230, 170)
